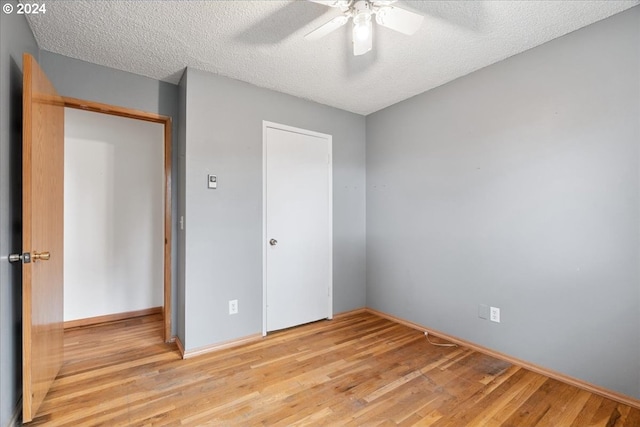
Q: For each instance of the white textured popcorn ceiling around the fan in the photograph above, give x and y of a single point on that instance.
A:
(261, 42)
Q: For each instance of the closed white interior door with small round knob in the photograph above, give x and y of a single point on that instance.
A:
(298, 226)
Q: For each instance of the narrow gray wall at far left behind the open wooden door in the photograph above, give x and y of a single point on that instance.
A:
(15, 39)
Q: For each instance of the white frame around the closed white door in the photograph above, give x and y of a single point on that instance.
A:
(272, 125)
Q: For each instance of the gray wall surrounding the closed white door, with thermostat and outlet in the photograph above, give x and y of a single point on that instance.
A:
(224, 226)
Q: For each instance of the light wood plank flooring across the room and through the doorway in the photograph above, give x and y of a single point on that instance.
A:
(356, 370)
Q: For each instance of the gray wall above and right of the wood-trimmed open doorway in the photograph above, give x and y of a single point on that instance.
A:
(79, 79)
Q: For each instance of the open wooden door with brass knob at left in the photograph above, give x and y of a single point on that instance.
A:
(42, 213)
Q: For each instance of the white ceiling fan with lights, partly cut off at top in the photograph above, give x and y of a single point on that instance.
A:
(362, 11)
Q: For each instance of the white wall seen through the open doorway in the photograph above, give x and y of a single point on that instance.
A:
(114, 214)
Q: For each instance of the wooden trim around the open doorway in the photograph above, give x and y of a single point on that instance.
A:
(113, 110)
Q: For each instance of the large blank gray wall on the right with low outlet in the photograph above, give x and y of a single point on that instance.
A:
(518, 186)
